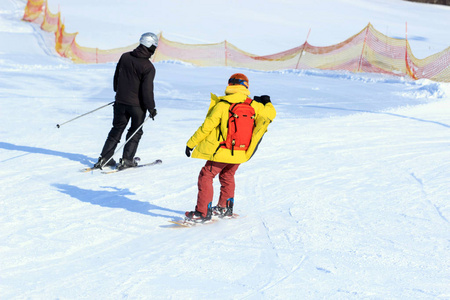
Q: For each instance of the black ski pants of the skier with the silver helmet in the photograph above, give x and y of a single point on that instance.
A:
(122, 115)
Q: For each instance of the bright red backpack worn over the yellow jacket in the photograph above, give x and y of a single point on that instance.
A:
(241, 122)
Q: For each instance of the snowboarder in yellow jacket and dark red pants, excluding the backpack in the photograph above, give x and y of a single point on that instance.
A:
(209, 142)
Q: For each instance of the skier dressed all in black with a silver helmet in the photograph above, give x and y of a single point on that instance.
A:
(133, 84)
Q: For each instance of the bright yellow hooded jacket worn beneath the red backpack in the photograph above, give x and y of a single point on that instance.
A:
(207, 138)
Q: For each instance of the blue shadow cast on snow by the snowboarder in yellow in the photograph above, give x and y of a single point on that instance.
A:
(115, 198)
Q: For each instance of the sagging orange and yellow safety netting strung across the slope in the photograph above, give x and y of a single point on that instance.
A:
(367, 51)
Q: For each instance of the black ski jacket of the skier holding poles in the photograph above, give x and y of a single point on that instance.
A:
(133, 79)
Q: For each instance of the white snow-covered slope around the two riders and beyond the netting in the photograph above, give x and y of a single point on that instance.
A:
(346, 198)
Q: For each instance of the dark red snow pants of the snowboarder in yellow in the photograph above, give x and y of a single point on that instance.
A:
(205, 184)
